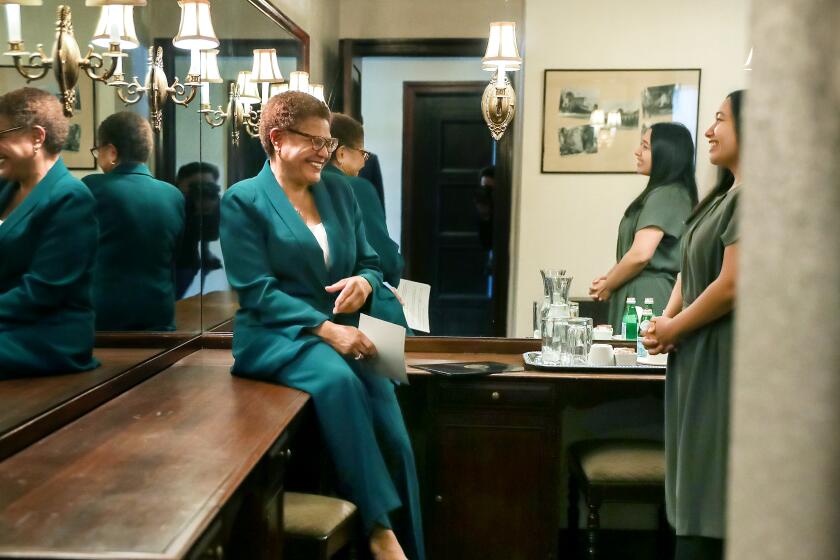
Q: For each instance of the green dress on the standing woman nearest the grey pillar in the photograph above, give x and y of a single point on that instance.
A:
(697, 385)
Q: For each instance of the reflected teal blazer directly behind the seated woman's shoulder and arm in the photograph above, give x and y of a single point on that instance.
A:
(376, 228)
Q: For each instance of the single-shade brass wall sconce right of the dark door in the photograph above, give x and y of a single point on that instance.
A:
(499, 100)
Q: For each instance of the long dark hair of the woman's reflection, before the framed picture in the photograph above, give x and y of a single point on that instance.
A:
(672, 161)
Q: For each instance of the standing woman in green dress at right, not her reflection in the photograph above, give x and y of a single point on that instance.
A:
(697, 325)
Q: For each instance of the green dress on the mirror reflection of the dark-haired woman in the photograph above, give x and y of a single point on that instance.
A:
(666, 207)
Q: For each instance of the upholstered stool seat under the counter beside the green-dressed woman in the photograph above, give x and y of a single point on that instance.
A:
(621, 461)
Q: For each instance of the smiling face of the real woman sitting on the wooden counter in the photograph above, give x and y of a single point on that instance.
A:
(297, 153)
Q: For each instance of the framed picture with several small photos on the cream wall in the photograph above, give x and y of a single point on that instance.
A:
(593, 119)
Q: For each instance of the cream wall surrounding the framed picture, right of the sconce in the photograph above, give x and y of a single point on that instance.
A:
(578, 214)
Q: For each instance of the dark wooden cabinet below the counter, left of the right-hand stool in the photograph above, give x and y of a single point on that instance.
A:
(491, 481)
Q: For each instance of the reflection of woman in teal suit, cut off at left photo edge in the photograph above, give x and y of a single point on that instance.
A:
(48, 240)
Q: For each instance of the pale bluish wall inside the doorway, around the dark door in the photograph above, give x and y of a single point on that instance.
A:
(382, 110)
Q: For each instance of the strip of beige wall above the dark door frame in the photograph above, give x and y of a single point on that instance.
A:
(429, 18)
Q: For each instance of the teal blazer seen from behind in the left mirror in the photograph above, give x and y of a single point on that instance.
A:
(141, 222)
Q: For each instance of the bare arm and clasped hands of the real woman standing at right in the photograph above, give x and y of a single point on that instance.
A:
(717, 300)
